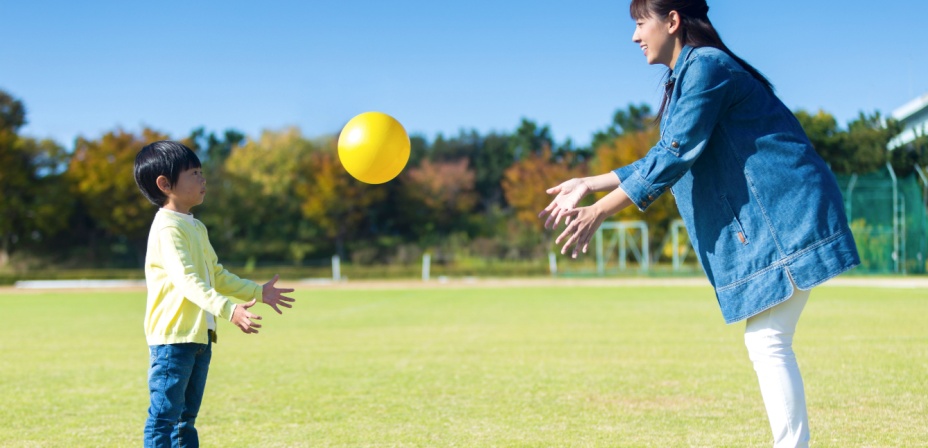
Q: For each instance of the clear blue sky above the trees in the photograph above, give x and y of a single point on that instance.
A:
(86, 68)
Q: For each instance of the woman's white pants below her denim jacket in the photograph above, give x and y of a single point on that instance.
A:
(769, 339)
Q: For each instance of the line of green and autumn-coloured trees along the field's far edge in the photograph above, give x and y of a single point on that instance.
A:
(283, 197)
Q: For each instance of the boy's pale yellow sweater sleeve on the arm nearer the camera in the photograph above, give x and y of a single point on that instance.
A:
(181, 270)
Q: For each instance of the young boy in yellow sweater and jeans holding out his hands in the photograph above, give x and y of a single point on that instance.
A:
(187, 290)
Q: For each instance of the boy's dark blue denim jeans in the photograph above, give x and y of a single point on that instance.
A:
(176, 381)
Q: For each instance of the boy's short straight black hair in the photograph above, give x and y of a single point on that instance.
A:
(163, 158)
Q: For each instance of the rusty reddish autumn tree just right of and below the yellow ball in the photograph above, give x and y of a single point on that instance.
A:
(438, 196)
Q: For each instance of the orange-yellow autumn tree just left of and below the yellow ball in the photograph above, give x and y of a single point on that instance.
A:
(332, 199)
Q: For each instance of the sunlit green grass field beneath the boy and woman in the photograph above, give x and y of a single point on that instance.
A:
(472, 367)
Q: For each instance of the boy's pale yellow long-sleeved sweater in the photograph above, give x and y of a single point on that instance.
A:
(180, 267)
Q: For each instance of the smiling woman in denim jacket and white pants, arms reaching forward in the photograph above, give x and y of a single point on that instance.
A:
(762, 209)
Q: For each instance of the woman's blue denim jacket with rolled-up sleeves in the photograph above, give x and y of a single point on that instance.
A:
(761, 207)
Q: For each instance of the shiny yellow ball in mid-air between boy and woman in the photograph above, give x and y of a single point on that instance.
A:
(373, 147)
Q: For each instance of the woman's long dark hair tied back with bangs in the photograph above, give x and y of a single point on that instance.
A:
(696, 31)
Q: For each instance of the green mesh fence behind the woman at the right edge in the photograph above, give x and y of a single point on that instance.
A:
(889, 220)
